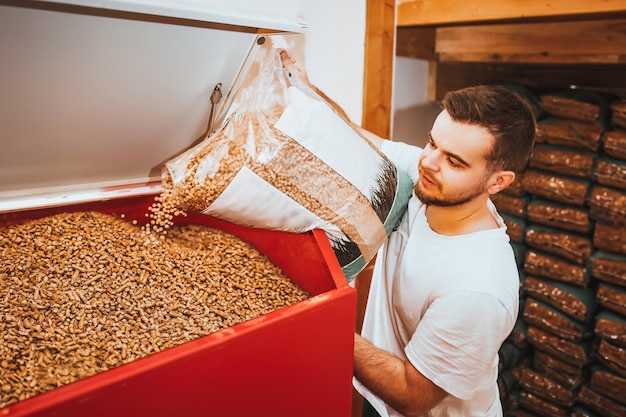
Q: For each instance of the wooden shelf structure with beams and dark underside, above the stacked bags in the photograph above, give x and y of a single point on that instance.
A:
(554, 44)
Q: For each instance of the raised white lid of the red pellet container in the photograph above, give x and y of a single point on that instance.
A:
(95, 99)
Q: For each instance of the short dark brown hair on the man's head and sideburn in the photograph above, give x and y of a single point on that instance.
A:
(504, 114)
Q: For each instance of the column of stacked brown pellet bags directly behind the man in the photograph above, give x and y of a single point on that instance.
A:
(561, 304)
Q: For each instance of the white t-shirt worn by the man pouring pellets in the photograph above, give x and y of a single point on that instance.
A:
(445, 303)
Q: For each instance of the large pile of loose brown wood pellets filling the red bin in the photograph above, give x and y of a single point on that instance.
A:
(81, 293)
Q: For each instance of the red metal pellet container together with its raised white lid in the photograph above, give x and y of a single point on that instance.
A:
(94, 101)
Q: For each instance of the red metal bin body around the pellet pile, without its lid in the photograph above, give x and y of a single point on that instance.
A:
(295, 361)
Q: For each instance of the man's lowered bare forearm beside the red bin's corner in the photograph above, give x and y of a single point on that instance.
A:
(395, 381)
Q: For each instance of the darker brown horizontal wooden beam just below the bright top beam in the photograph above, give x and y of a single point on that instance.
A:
(574, 42)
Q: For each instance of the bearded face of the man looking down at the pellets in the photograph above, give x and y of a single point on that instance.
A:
(453, 167)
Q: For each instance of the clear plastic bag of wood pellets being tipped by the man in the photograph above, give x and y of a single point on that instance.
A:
(286, 159)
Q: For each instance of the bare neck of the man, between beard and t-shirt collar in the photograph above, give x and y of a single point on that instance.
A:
(471, 217)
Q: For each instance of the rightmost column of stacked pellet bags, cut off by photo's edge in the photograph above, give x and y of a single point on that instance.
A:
(605, 392)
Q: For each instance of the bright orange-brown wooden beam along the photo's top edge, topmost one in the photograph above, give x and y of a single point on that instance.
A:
(446, 12)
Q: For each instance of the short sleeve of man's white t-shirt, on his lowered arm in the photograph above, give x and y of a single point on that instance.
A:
(458, 339)
